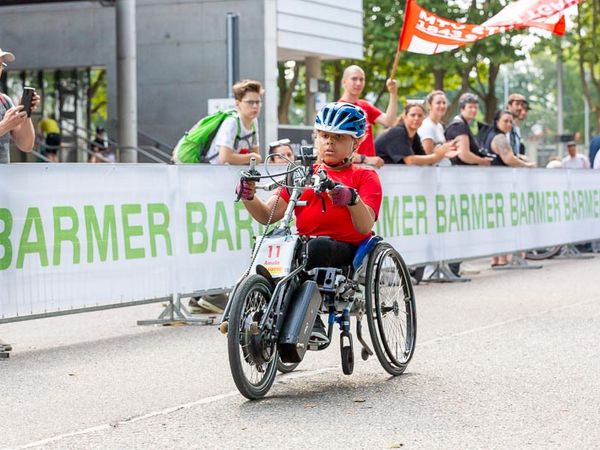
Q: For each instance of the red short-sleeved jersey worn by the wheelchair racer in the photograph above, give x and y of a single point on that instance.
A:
(336, 221)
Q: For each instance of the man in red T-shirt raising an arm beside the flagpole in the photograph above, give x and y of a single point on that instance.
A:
(353, 83)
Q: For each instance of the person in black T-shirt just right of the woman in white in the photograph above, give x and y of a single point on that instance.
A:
(468, 147)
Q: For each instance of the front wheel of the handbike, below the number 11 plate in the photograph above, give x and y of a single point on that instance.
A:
(253, 363)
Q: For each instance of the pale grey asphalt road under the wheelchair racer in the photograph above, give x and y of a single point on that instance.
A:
(509, 360)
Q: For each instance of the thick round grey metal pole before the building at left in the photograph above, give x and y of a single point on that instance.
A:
(126, 80)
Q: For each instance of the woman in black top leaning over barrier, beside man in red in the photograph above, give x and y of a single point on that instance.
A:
(402, 145)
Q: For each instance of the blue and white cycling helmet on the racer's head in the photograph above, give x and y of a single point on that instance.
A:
(342, 118)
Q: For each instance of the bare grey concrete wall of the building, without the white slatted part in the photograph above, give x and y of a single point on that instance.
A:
(180, 53)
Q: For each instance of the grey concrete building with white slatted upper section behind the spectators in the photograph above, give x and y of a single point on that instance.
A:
(181, 50)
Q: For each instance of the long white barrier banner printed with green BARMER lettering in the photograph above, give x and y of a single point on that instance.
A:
(75, 235)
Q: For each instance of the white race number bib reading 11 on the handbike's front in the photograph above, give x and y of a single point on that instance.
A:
(276, 254)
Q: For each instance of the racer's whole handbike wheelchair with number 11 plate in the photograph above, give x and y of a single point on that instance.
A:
(273, 307)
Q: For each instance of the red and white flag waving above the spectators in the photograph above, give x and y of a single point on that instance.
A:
(424, 32)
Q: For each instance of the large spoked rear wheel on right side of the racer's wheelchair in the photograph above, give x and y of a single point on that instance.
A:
(390, 308)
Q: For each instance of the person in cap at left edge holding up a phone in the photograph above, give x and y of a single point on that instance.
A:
(14, 123)
